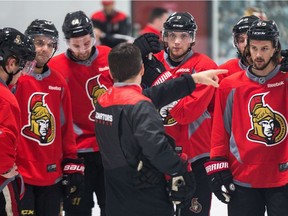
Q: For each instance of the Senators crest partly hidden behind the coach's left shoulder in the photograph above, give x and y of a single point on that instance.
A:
(94, 89)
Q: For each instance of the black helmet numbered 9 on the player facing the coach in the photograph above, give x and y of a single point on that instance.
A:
(180, 21)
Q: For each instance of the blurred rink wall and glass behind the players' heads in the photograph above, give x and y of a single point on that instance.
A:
(215, 18)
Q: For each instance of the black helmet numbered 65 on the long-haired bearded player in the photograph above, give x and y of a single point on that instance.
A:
(263, 30)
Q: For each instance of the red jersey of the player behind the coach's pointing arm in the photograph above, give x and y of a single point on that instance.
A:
(189, 119)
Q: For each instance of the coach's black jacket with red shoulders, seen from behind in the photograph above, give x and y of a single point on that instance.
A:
(129, 128)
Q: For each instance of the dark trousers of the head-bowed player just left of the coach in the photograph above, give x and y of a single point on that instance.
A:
(94, 183)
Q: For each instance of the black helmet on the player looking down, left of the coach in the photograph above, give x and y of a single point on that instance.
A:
(77, 24)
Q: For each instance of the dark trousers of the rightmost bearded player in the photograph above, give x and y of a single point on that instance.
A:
(255, 201)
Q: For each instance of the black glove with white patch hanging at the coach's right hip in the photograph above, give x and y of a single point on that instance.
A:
(182, 188)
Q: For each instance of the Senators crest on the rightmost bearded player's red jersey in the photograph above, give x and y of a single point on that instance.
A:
(268, 126)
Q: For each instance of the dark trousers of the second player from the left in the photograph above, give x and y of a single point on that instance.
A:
(41, 200)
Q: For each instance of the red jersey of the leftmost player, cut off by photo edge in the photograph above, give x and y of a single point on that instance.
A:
(9, 131)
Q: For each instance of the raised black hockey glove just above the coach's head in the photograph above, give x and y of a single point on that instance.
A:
(148, 43)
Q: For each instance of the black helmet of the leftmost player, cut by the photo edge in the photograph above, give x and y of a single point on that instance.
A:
(14, 43)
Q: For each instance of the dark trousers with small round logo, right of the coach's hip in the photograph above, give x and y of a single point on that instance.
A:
(200, 204)
